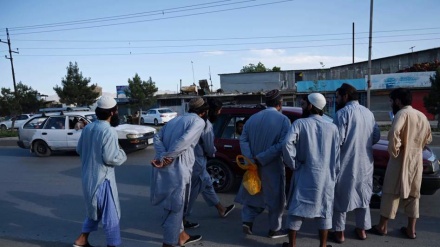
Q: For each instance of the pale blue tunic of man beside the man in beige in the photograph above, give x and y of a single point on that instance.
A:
(358, 132)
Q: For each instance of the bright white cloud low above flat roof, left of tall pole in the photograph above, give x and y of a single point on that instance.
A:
(279, 58)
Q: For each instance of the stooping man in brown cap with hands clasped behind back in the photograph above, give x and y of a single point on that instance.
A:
(172, 168)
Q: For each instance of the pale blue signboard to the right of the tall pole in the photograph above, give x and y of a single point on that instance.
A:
(406, 80)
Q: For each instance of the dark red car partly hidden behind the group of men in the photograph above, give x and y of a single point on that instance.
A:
(227, 175)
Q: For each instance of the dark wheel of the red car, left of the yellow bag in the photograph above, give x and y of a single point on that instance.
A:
(222, 177)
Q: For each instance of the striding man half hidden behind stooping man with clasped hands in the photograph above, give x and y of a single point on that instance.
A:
(201, 181)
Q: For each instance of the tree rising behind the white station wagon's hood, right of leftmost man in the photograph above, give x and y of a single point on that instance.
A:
(141, 92)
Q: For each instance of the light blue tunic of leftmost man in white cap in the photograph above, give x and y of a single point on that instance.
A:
(99, 152)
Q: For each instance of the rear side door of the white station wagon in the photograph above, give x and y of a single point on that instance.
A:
(54, 132)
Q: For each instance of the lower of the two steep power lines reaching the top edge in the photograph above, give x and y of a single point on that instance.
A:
(156, 19)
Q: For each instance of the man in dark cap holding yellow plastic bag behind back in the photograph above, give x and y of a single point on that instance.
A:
(261, 140)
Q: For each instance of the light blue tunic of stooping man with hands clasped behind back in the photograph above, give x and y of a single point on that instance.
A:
(177, 140)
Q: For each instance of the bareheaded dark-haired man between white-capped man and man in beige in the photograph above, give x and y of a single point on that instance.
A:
(358, 133)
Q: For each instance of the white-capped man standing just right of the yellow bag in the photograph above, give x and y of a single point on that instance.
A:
(311, 150)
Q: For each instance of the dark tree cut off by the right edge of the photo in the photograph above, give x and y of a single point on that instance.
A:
(432, 100)
